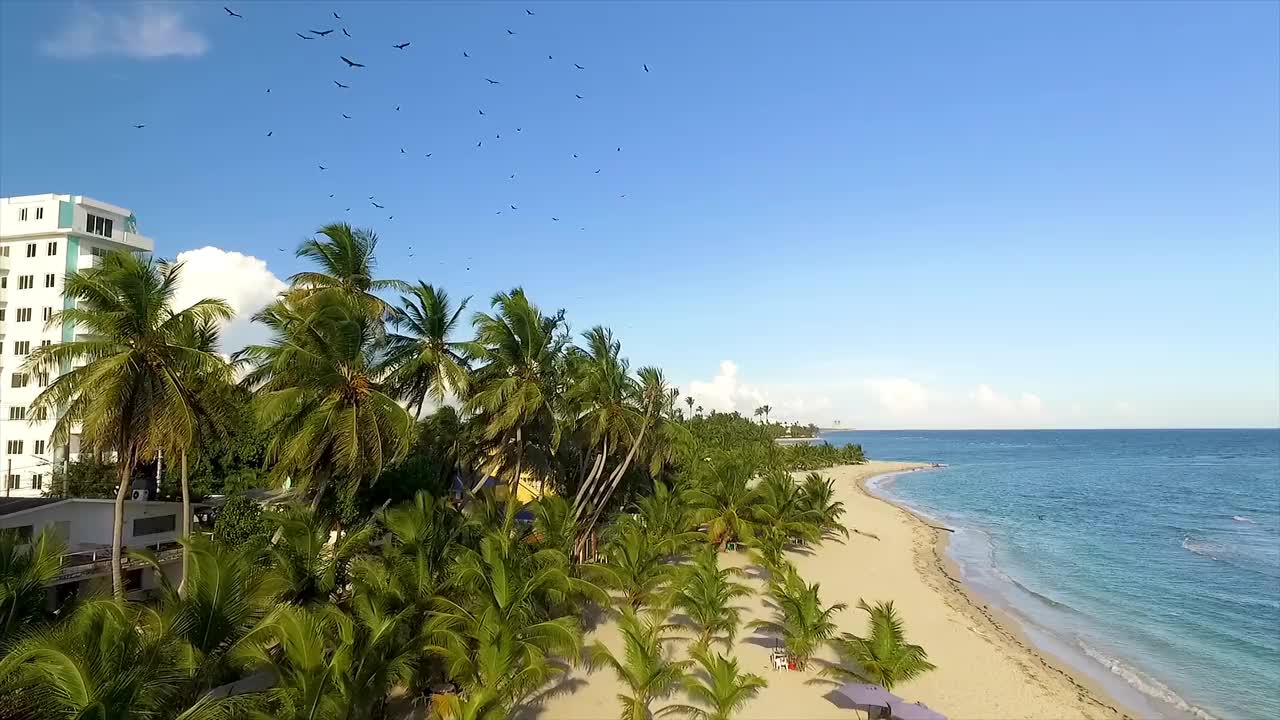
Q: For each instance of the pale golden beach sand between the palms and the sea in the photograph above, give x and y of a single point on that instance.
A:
(986, 668)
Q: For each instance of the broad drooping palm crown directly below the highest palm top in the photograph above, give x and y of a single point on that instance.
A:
(323, 398)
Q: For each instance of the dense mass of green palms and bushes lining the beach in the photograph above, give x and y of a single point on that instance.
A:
(415, 557)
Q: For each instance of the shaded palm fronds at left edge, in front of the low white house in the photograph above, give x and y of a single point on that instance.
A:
(28, 567)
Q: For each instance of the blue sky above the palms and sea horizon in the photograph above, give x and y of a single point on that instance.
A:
(890, 215)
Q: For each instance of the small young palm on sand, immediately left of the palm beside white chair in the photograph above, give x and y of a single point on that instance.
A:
(706, 595)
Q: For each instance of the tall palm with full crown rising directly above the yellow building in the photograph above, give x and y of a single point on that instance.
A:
(516, 390)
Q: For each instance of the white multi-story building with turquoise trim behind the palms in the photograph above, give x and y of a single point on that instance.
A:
(43, 239)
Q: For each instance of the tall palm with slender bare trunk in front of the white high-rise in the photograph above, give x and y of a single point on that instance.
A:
(125, 377)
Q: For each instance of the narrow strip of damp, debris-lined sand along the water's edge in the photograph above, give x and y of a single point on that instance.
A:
(930, 546)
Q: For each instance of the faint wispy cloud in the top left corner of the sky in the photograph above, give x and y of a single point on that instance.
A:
(140, 30)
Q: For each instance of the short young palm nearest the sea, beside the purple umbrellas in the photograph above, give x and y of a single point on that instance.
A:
(883, 657)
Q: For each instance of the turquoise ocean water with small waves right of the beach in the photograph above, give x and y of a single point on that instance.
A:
(1149, 560)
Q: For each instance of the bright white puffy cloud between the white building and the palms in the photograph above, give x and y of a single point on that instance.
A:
(244, 281)
